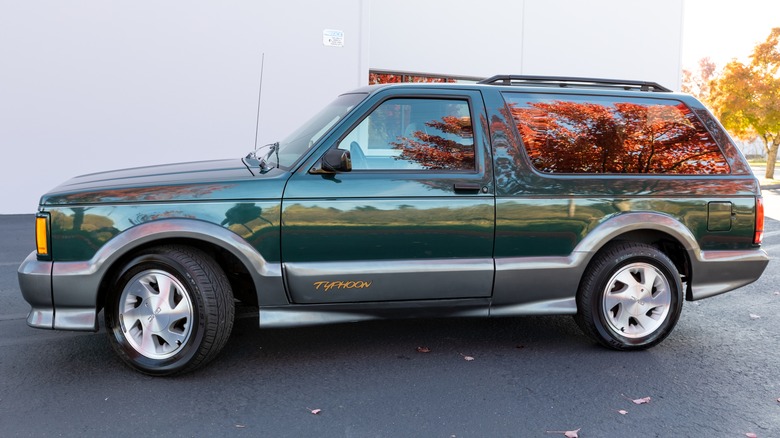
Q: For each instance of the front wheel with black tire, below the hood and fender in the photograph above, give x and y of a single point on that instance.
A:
(164, 333)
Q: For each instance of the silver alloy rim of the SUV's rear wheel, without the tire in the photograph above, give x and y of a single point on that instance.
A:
(636, 300)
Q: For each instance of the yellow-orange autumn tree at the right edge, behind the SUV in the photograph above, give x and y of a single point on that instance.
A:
(746, 98)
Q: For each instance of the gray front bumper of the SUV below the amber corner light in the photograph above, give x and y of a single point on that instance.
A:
(76, 291)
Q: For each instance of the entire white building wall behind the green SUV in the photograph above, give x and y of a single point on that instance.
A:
(94, 85)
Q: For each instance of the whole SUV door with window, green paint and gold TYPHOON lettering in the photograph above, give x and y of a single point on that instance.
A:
(414, 218)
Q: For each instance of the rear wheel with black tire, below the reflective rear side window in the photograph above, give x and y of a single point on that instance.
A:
(630, 297)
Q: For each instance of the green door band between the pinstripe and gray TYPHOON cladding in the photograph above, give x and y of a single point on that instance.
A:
(392, 229)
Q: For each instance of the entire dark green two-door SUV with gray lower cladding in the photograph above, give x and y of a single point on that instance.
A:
(612, 201)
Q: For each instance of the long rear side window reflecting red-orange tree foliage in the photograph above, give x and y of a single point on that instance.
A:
(604, 134)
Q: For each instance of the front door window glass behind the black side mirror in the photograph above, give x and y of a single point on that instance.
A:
(421, 134)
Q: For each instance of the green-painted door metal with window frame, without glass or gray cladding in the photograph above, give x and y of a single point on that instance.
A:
(391, 215)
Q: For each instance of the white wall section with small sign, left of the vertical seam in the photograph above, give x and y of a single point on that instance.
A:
(95, 85)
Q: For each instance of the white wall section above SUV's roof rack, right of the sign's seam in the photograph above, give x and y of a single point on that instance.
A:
(640, 39)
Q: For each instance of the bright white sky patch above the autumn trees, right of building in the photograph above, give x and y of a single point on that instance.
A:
(725, 29)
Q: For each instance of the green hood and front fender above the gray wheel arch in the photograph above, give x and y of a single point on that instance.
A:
(89, 210)
